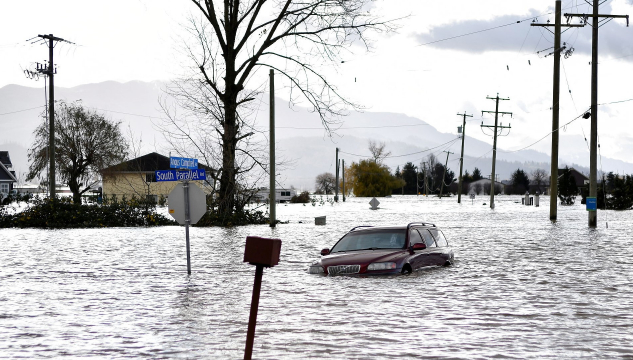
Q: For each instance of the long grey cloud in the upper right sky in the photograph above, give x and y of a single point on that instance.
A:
(615, 37)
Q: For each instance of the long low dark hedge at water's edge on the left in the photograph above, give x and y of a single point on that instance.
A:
(58, 213)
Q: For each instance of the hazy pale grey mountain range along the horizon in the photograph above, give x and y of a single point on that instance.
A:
(300, 138)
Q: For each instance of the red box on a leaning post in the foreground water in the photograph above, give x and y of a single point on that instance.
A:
(260, 252)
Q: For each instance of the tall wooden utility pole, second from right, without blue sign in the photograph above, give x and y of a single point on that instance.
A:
(553, 191)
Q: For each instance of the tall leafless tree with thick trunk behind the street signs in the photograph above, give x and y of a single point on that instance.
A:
(232, 39)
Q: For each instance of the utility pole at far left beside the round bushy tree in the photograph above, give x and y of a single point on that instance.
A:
(50, 70)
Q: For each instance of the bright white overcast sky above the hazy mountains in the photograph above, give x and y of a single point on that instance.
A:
(414, 71)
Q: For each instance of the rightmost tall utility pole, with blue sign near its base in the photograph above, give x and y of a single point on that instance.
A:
(593, 159)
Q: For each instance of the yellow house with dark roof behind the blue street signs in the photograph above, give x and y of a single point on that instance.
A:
(137, 178)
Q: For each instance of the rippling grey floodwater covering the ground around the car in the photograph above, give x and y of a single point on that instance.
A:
(521, 287)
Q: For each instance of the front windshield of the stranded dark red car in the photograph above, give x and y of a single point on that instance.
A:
(371, 239)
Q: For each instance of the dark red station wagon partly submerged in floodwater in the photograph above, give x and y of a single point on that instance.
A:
(385, 250)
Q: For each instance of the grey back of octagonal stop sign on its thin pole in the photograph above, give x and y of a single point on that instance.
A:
(187, 204)
